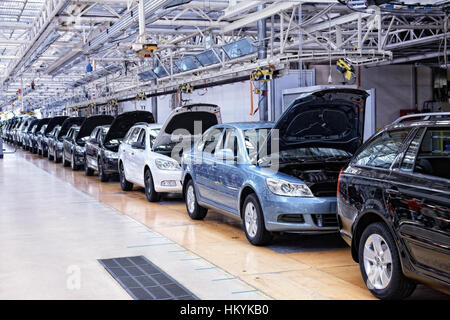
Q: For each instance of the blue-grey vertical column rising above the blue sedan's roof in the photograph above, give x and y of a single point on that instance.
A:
(262, 54)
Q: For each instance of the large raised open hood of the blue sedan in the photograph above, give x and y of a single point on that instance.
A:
(330, 118)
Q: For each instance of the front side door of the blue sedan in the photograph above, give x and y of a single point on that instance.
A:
(229, 177)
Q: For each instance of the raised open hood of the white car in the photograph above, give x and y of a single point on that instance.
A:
(184, 118)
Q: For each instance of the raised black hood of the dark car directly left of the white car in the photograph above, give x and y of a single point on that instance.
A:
(123, 122)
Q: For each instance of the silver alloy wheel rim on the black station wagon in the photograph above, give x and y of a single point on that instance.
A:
(377, 261)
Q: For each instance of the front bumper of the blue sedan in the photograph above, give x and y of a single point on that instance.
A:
(300, 215)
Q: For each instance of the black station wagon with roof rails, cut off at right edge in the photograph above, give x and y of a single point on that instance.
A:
(394, 206)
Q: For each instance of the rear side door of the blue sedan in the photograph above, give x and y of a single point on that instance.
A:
(204, 165)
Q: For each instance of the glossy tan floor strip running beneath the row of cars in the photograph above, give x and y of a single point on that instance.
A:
(295, 267)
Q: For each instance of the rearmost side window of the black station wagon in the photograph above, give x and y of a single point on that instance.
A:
(382, 151)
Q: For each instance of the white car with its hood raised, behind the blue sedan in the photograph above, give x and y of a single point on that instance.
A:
(150, 154)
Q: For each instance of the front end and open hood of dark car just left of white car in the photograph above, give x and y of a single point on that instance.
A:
(107, 158)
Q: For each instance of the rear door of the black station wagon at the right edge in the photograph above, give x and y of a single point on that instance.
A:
(420, 198)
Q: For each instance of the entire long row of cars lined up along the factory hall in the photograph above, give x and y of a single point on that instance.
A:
(308, 173)
